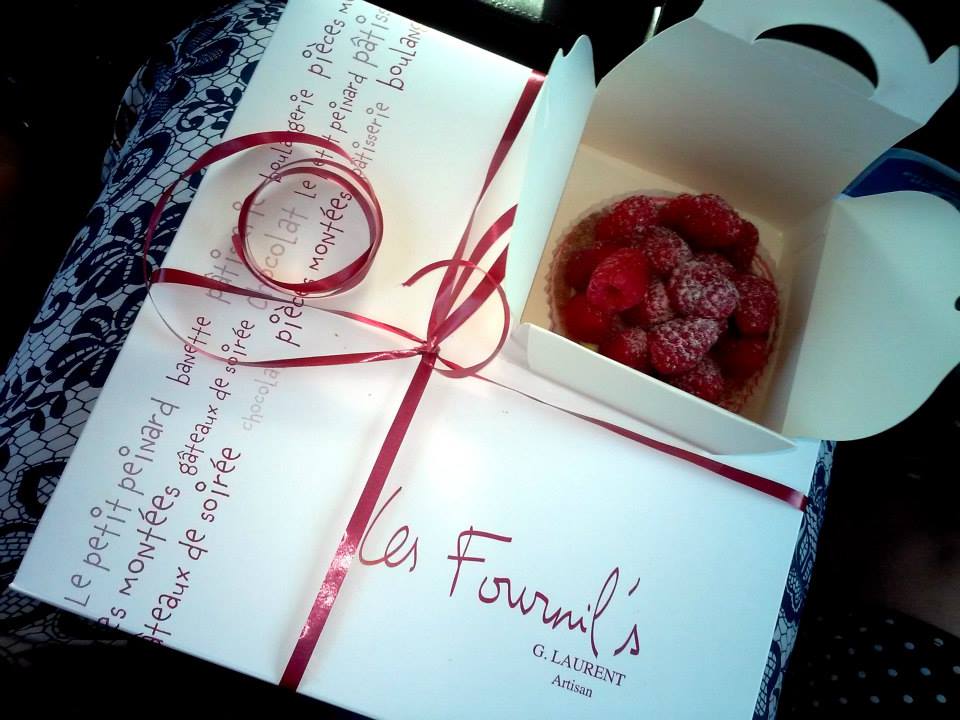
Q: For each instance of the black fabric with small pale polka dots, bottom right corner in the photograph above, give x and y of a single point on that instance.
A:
(873, 663)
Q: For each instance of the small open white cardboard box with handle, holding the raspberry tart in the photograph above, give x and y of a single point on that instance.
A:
(868, 285)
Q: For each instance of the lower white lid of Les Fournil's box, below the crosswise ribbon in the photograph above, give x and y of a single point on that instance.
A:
(575, 500)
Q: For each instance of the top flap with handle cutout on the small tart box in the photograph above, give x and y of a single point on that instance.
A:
(695, 89)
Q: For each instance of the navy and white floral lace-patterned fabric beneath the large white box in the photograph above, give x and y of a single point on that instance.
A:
(175, 107)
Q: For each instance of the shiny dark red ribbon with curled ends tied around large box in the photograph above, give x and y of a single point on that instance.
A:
(445, 319)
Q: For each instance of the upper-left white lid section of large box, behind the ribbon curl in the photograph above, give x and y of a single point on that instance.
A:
(425, 168)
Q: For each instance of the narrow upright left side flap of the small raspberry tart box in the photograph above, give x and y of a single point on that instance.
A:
(563, 106)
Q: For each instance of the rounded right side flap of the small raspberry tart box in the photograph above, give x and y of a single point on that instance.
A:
(880, 328)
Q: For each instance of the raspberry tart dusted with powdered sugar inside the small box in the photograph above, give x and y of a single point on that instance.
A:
(672, 287)
